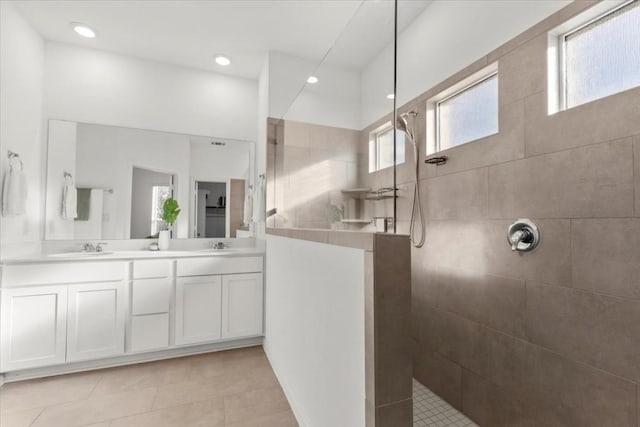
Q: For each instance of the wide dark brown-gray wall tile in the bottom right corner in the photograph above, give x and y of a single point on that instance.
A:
(570, 393)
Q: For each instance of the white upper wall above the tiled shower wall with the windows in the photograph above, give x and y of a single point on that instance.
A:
(446, 37)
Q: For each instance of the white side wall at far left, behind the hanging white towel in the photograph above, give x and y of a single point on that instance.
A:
(21, 80)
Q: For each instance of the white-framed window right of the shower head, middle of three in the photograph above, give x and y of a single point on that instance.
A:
(464, 112)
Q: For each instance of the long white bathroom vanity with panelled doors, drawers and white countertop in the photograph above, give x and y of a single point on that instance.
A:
(66, 312)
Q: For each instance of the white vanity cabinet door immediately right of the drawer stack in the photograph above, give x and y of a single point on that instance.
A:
(198, 309)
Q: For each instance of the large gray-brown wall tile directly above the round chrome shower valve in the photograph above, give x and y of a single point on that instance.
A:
(594, 181)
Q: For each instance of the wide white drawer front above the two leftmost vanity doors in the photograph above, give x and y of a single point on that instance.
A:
(63, 272)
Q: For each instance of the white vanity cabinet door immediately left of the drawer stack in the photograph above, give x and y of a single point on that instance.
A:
(96, 321)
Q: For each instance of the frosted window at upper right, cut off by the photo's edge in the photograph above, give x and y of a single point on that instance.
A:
(598, 54)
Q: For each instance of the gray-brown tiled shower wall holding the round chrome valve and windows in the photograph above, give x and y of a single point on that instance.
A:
(552, 337)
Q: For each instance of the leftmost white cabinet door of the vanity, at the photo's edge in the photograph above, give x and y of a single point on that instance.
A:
(33, 327)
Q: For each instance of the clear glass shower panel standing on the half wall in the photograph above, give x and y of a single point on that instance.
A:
(320, 156)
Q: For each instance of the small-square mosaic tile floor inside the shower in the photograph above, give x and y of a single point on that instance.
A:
(429, 410)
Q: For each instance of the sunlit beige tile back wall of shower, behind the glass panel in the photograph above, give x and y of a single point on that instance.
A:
(308, 166)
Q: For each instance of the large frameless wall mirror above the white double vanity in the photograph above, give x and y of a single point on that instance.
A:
(122, 176)
